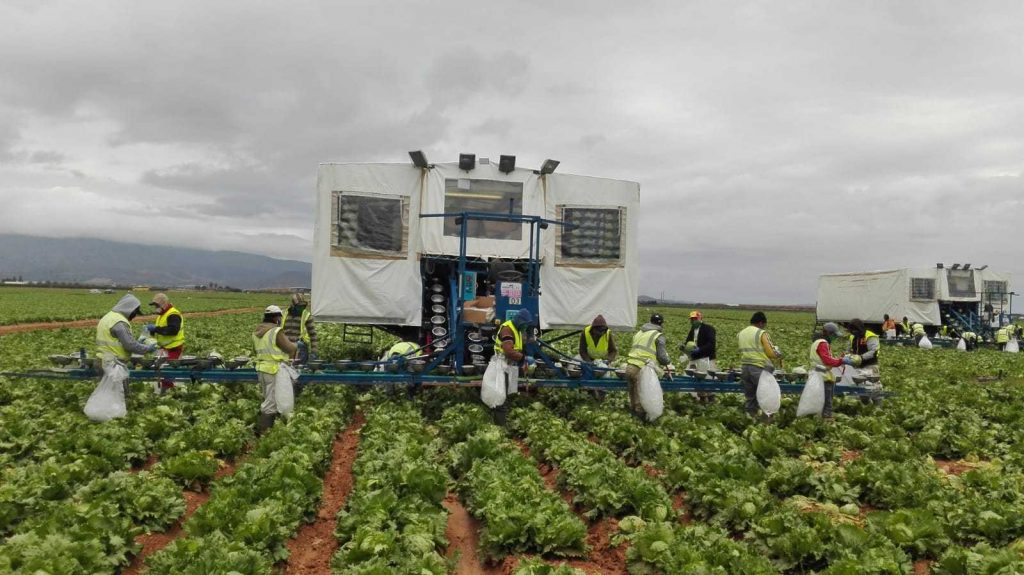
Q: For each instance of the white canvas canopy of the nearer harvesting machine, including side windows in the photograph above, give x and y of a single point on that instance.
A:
(369, 240)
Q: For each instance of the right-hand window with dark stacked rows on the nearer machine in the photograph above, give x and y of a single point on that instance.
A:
(596, 238)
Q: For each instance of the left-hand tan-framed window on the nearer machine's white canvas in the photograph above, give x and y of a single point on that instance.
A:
(370, 226)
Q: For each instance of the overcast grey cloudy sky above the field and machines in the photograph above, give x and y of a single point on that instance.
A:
(774, 142)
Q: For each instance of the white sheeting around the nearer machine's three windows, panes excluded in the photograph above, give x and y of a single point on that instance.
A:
(376, 289)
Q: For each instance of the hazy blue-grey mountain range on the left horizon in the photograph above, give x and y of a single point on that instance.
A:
(103, 263)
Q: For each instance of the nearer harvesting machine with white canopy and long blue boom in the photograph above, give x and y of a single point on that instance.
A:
(440, 255)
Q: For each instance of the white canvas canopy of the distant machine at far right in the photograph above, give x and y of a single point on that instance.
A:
(912, 293)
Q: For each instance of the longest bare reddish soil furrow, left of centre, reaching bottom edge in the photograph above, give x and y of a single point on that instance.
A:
(314, 546)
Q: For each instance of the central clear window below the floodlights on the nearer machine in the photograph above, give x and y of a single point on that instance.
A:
(491, 197)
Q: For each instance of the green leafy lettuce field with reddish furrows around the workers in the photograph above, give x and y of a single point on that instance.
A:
(358, 482)
